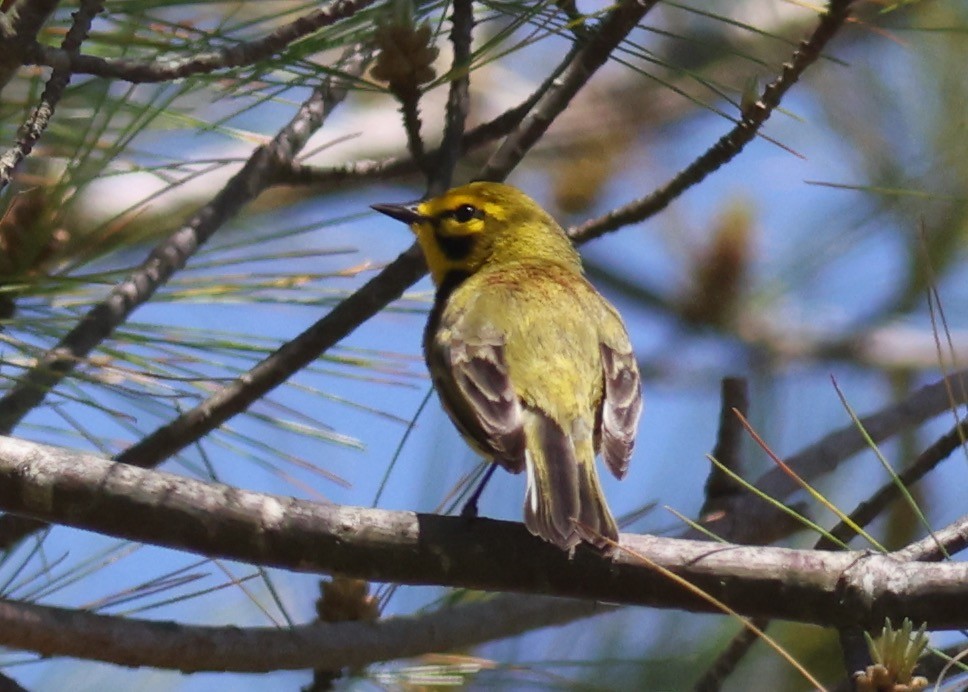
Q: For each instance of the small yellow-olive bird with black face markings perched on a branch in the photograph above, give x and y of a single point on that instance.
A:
(534, 367)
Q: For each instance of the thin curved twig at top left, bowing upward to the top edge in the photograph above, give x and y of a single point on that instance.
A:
(238, 55)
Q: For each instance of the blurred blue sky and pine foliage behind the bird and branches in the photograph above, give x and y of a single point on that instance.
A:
(809, 256)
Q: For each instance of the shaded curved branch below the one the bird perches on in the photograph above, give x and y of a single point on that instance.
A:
(51, 631)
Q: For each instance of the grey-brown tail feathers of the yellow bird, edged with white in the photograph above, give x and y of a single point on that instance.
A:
(564, 503)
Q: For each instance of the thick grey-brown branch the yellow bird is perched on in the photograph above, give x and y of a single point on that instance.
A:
(818, 587)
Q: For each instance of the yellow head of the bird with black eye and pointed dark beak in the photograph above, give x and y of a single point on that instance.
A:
(481, 224)
